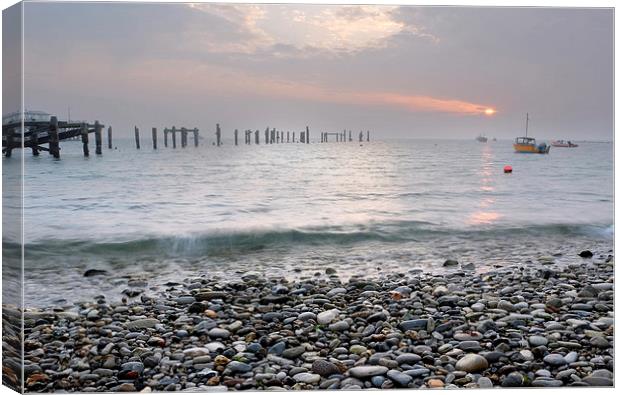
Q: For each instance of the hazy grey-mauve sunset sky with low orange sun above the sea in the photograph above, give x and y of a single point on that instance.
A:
(398, 71)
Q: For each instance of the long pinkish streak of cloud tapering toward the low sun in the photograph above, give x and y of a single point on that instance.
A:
(197, 80)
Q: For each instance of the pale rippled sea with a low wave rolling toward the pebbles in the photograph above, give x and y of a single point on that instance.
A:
(394, 205)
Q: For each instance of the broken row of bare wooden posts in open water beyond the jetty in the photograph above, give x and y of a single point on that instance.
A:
(271, 136)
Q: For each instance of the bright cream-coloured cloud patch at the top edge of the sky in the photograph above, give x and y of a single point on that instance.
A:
(303, 30)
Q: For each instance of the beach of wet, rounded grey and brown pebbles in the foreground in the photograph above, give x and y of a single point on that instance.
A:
(536, 325)
